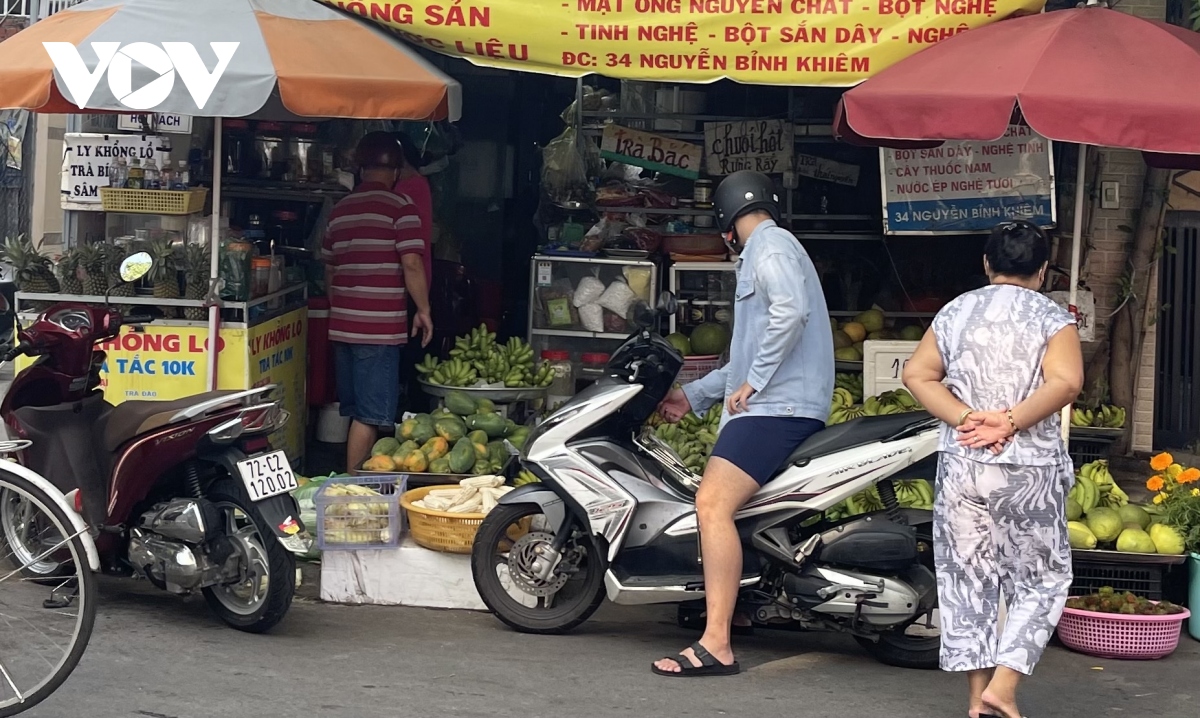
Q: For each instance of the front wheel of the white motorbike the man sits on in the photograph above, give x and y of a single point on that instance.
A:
(507, 566)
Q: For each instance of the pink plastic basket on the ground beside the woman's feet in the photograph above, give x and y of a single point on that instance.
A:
(1117, 636)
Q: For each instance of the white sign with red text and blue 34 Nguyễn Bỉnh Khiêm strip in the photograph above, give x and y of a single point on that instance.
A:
(964, 188)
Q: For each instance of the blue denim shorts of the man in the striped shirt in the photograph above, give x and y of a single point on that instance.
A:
(369, 382)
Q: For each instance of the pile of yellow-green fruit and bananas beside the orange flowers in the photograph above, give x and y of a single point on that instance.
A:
(1101, 517)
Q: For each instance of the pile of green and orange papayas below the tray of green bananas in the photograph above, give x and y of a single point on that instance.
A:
(465, 438)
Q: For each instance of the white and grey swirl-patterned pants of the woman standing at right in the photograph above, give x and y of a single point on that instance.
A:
(1000, 529)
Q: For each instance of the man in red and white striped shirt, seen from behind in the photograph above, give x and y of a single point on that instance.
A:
(375, 261)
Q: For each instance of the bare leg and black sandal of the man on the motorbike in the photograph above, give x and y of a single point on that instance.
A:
(724, 490)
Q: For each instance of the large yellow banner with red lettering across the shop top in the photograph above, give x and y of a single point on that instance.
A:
(775, 43)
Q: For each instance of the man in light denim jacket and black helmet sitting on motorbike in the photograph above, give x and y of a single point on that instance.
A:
(777, 391)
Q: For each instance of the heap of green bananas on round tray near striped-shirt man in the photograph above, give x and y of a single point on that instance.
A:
(478, 362)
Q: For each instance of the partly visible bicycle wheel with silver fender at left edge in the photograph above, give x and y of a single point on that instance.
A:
(45, 624)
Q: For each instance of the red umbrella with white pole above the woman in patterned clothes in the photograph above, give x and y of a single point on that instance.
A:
(1090, 75)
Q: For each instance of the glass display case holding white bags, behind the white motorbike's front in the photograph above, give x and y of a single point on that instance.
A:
(579, 307)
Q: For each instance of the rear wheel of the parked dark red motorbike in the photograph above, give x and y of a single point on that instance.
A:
(263, 596)
